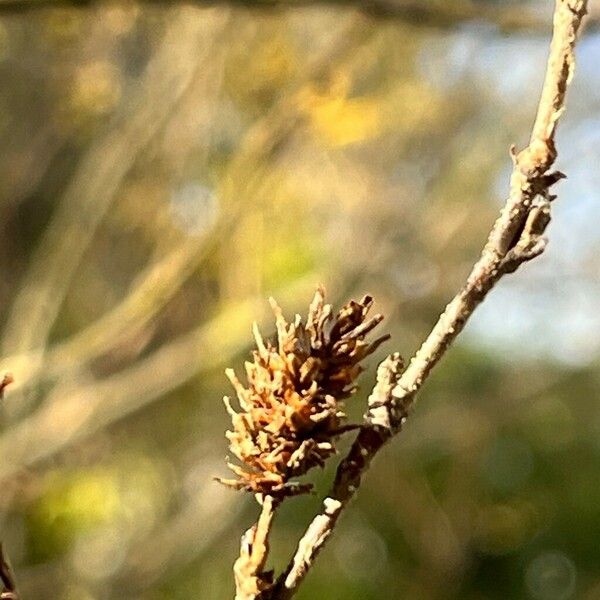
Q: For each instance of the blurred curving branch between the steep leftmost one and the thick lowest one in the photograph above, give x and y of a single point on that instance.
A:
(157, 284)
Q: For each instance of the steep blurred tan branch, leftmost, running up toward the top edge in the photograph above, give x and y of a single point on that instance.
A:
(99, 176)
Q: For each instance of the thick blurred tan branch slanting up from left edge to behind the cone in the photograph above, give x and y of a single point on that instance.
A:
(77, 410)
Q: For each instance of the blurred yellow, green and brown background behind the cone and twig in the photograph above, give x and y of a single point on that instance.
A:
(166, 167)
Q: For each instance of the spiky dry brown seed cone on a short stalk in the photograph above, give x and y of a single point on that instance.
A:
(292, 407)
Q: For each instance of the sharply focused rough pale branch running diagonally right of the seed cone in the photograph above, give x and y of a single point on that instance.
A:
(516, 237)
